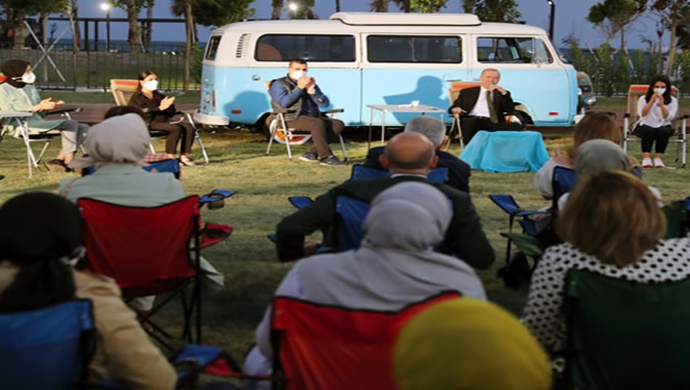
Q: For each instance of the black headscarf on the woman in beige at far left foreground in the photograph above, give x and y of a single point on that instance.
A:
(41, 234)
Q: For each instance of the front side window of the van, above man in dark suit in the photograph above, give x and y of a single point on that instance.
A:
(525, 50)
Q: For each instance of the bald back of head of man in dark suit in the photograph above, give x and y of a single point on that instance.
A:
(409, 153)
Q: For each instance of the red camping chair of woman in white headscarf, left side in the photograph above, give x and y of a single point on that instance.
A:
(147, 251)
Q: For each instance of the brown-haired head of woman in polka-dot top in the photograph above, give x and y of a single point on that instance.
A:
(612, 216)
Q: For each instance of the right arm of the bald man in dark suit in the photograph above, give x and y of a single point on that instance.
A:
(466, 236)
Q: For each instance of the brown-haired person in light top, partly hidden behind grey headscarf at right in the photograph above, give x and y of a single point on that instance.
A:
(598, 125)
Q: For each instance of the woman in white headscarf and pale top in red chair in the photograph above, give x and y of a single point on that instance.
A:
(117, 148)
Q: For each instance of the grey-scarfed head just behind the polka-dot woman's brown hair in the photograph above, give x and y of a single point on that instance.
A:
(600, 154)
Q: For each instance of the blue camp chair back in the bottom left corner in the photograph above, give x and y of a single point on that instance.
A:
(48, 348)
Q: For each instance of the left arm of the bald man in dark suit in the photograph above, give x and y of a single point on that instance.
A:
(292, 230)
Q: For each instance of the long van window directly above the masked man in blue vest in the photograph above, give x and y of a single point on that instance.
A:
(312, 48)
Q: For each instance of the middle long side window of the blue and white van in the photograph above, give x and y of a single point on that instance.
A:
(422, 49)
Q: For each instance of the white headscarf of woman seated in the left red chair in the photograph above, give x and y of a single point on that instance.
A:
(121, 139)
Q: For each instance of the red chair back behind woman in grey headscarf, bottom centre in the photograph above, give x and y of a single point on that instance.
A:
(330, 347)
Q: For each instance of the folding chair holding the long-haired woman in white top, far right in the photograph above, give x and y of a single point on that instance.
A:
(631, 120)
